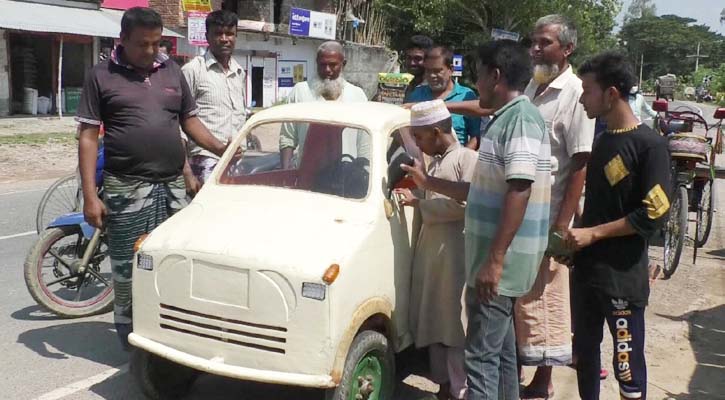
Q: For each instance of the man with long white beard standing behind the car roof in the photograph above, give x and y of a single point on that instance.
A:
(328, 85)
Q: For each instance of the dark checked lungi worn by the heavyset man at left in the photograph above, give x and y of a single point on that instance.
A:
(135, 207)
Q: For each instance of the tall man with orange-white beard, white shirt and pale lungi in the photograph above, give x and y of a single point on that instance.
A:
(543, 327)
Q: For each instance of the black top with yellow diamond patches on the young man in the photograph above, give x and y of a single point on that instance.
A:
(628, 176)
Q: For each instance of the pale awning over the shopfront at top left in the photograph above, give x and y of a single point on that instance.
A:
(55, 19)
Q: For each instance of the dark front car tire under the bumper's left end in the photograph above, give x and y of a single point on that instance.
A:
(159, 378)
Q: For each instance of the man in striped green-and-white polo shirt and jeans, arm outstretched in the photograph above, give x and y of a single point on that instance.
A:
(507, 217)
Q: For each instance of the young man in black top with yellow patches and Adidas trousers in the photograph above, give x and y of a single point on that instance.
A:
(627, 199)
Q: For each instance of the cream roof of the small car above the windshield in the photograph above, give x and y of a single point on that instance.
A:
(373, 116)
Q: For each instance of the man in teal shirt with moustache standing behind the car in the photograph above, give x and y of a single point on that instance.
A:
(438, 73)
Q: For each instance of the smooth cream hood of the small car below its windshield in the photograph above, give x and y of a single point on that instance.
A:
(266, 227)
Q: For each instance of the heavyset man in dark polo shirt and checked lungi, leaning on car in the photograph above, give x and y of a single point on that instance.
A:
(142, 100)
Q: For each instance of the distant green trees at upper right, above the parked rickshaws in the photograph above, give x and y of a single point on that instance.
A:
(666, 42)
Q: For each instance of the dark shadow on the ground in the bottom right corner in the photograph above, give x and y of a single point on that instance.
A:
(707, 337)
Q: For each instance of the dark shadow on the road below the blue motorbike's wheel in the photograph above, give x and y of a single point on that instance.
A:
(92, 340)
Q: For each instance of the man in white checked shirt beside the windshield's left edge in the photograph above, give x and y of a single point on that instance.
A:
(218, 83)
